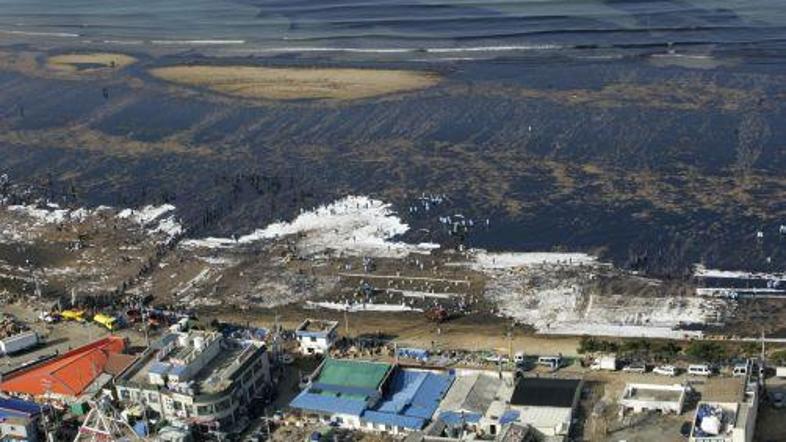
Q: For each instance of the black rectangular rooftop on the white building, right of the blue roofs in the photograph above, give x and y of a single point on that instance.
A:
(545, 392)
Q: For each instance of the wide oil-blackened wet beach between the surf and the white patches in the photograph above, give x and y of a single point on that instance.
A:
(654, 163)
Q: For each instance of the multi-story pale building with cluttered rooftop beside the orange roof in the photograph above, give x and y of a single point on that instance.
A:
(197, 377)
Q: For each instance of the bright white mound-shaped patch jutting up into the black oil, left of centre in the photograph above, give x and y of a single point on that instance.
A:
(354, 226)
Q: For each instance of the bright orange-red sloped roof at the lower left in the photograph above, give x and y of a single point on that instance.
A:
(66, 375)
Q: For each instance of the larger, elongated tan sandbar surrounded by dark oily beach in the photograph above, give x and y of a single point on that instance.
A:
(297, 83)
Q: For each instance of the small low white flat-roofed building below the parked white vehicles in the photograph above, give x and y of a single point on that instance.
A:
(639, 398)
